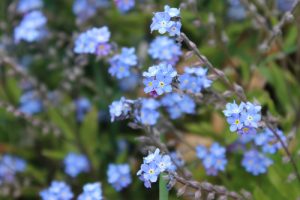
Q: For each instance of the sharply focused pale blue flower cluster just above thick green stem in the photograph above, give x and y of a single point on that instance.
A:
(153, 165)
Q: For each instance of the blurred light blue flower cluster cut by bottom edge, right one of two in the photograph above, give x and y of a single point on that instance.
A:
(91, 191)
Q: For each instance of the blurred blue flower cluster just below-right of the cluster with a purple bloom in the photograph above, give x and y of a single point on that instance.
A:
(122, 63)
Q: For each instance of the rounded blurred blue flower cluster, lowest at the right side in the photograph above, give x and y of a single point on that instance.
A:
(255, 162)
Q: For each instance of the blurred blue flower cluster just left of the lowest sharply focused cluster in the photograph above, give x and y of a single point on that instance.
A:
(119, 176)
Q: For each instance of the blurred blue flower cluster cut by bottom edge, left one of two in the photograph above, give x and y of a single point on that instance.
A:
(57, 190)
